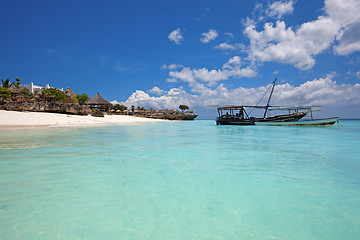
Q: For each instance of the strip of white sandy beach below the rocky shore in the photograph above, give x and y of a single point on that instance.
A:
(12, 119)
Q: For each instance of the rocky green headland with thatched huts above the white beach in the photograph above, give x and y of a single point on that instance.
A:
(17, 97)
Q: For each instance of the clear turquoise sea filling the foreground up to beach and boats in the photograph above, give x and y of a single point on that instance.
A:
(181, 180)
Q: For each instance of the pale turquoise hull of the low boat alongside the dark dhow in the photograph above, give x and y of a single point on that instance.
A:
(317, 122)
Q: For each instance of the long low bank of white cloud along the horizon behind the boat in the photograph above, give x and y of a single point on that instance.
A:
(323, 91)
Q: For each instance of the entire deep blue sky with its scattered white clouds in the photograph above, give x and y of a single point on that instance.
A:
(160, 54)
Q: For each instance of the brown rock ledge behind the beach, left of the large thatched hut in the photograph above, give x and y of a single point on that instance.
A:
(67, 108)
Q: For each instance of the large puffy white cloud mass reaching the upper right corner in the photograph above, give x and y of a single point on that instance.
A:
(300, 46)
